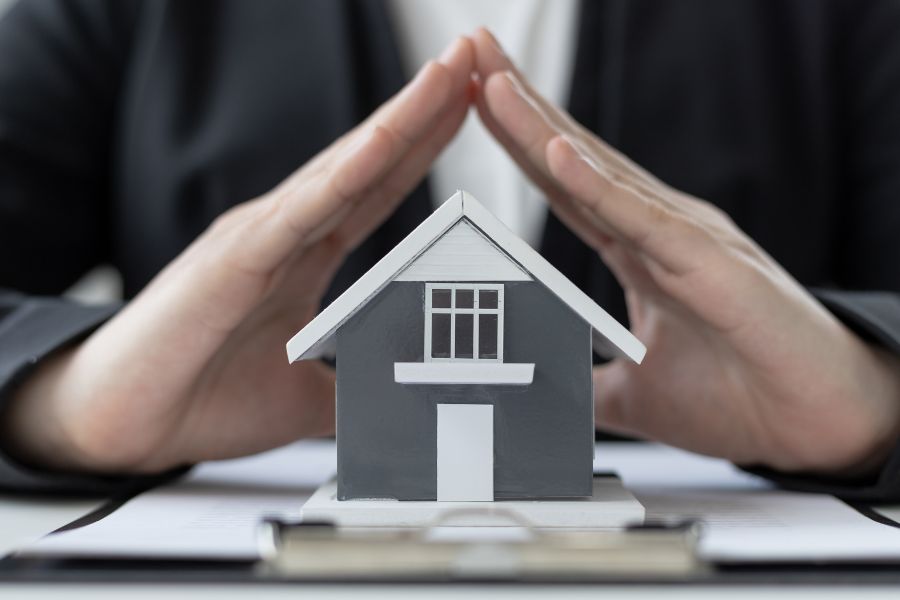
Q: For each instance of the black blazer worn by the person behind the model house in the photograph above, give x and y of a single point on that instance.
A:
(127, 126)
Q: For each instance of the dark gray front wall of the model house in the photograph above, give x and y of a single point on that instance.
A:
(386, 432)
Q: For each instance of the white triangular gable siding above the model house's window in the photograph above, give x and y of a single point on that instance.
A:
(463, 254)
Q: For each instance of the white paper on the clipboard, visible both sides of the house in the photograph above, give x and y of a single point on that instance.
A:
(213, 513)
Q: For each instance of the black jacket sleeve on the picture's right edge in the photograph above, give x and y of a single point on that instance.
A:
(868, 260)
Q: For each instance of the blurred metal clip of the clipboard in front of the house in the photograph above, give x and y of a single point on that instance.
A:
(320, 551)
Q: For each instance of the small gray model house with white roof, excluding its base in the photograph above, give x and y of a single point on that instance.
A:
(464, 367)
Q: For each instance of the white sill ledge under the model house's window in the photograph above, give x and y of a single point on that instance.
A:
(449, 373)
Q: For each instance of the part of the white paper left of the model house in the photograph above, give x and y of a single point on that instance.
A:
(212, 513)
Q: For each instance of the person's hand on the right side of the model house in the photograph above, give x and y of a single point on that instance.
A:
(742, 362)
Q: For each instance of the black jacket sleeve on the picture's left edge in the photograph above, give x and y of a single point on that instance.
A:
(59, 67)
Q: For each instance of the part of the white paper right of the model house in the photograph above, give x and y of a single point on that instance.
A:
(745, 518)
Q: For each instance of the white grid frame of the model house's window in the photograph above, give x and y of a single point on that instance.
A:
(474, 311)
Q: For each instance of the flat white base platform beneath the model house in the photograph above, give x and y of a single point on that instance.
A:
(611, 507)
